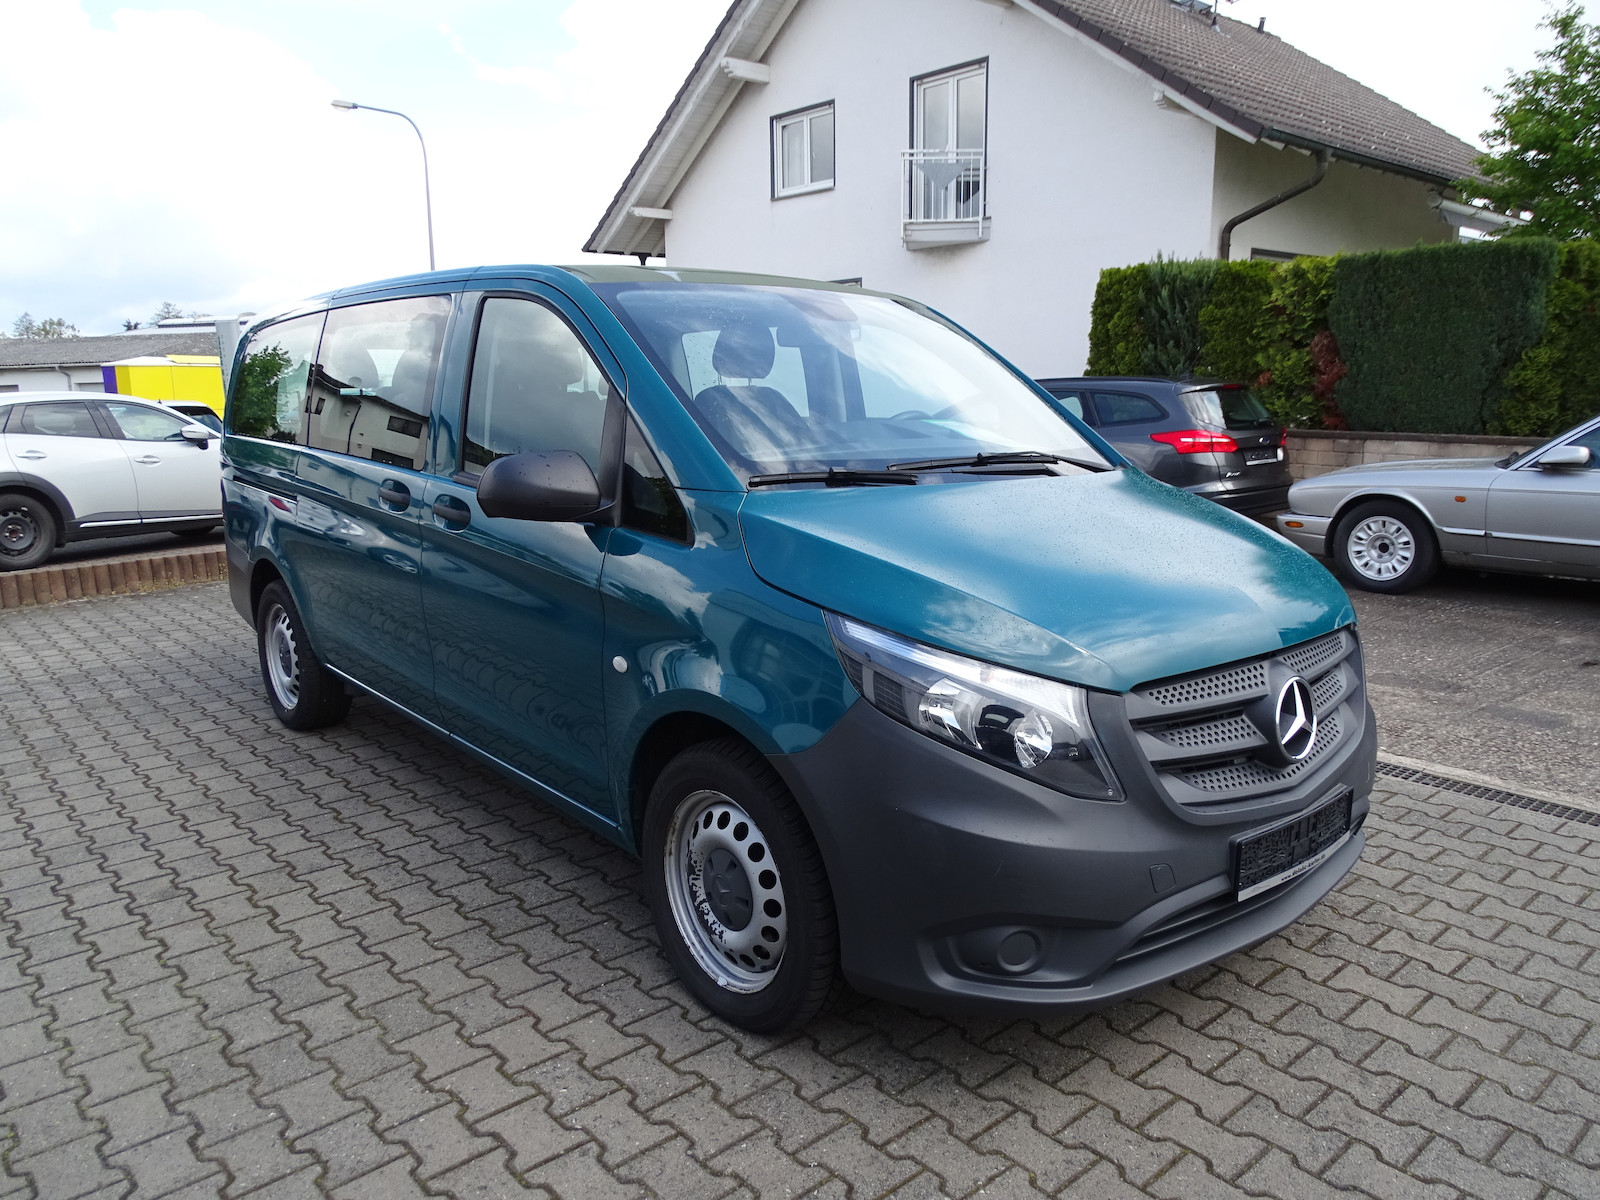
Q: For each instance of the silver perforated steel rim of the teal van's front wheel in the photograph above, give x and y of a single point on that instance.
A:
(726, 892)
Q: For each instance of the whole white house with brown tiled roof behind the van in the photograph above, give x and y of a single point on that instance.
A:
(990, 158)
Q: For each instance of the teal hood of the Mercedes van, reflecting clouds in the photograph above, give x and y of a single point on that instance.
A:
(1105, 580)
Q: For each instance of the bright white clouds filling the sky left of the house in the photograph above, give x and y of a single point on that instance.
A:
(169, 156)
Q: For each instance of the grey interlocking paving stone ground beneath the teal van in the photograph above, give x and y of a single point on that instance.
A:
(247, 962)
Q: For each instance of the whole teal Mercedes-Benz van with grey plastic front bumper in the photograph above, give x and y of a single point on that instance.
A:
(881, 660)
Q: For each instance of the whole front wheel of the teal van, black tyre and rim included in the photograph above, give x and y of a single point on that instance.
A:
(719, 788)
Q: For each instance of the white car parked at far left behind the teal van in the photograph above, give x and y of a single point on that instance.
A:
(79, 465)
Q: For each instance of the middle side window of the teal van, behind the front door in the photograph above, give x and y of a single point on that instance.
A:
(374, 386)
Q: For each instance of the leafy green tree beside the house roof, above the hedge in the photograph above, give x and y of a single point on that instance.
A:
(1545, 148)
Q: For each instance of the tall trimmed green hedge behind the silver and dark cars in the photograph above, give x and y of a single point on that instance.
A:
(1498, 337)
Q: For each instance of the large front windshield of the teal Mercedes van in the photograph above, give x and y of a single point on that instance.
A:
(799, 380)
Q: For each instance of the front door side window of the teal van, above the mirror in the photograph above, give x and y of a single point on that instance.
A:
(535, 388)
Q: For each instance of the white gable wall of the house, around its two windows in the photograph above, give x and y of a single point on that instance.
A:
(1086, 172)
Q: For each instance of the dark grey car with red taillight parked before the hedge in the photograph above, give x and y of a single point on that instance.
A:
(1209, 438)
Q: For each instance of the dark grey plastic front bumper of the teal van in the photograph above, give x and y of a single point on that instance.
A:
(966, 887)
